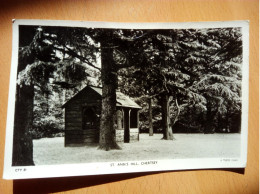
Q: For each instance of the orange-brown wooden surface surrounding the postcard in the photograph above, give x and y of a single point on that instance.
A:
(197, 181)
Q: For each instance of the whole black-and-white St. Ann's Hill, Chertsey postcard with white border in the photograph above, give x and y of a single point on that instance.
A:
(91, 98)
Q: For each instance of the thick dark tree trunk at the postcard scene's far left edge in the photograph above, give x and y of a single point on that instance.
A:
(23, 120)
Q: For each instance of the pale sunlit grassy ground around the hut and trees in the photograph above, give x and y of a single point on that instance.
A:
(52, 150)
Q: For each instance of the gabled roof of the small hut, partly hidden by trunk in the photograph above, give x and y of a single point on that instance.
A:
(122, 100)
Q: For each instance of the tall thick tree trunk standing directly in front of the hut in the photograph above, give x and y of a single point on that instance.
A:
(107, 136)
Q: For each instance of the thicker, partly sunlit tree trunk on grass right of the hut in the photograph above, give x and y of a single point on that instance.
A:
(166, 121)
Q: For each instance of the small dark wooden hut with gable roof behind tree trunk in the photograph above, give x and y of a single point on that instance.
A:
(82, 118)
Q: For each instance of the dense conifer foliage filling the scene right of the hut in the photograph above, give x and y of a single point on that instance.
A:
(201, 70)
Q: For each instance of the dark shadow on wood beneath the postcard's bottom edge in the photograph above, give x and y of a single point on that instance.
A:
(50, 185)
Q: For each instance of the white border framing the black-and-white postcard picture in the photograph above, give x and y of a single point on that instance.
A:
(16, 172)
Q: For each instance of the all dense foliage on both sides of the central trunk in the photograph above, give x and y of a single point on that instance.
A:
(201, 69)
